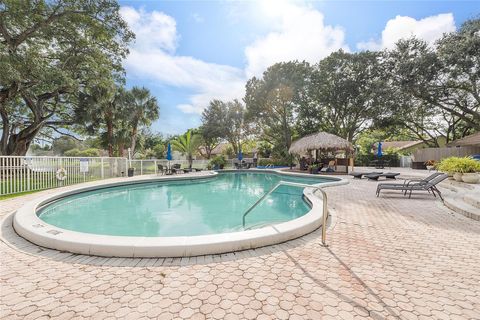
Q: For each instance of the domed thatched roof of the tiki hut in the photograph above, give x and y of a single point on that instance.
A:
(320, 141)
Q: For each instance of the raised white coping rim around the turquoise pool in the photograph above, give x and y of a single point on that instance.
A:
(28, 225)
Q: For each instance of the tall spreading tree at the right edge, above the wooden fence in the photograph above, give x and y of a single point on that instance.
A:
(444, 78)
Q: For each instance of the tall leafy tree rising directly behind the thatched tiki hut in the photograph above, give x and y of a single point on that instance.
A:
(346, 93)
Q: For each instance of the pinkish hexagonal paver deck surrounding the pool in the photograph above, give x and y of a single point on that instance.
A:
(388, 258)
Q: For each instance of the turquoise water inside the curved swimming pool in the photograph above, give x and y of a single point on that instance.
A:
(181, 208)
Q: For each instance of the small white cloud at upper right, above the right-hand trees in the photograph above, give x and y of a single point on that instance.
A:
(429, 29)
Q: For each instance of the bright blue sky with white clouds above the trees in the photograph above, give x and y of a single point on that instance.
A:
(189, 52)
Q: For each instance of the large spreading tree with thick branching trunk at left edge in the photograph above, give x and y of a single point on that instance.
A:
(50, 51)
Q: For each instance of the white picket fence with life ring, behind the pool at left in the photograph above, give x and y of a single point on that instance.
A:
(30, 173)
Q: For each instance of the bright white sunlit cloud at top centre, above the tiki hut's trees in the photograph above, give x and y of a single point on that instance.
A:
(299, 34)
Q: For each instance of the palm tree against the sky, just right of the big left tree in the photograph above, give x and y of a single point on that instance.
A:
(143, 109)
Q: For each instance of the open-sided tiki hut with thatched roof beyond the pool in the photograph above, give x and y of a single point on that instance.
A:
(326, 143)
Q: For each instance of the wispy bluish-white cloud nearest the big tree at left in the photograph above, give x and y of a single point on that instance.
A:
(153, 57)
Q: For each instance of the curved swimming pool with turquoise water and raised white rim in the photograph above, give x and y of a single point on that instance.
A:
(174, 216)
